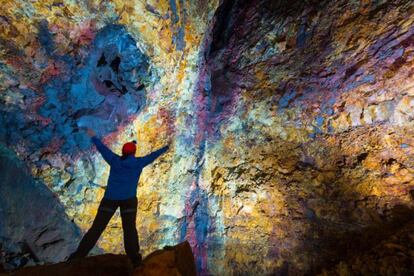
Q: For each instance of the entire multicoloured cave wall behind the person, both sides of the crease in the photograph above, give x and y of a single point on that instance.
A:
(291, 122)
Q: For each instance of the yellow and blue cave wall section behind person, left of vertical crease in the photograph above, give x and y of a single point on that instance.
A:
(125, 69)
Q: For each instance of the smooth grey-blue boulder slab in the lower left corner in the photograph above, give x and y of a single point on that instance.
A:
(33, 224)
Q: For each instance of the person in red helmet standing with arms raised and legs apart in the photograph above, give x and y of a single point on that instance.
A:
(120, 191)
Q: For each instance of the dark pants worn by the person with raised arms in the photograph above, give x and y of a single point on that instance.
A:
(106, 210)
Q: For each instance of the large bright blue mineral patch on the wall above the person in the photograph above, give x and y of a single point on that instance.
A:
(101, 90)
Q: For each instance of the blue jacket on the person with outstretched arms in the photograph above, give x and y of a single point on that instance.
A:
(124, 173)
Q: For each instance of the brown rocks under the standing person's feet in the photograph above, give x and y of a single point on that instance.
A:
(175, 260)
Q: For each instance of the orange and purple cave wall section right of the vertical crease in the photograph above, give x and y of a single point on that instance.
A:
(308, 132)
